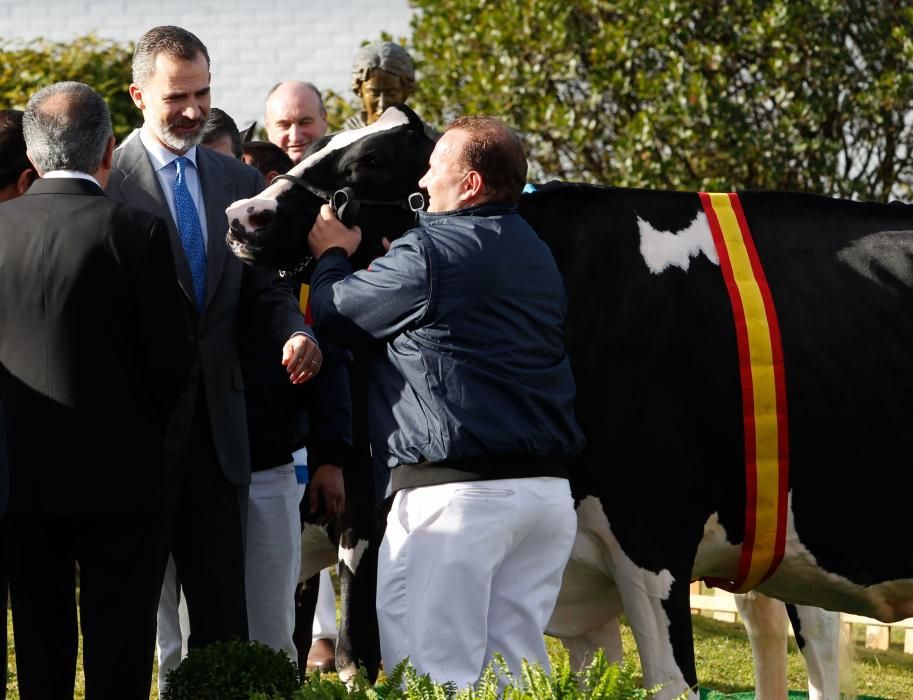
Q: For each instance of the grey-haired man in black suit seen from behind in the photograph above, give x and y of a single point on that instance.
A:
(93, 357)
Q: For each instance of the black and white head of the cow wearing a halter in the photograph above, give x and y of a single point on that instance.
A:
(380, 163)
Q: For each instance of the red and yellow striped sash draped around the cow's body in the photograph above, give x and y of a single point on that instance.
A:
(763, 393)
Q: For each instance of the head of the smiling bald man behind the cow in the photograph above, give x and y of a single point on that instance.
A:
(295, 117)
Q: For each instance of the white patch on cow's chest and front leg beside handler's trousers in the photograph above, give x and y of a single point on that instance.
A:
(600, 558)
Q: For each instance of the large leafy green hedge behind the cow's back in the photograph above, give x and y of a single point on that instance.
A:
(690, 94)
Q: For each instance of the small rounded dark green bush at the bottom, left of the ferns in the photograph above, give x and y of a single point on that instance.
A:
(233, 671)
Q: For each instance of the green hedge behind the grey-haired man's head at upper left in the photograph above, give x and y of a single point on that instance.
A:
(100, 63)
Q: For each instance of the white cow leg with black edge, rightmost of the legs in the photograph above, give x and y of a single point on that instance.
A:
(818, 636)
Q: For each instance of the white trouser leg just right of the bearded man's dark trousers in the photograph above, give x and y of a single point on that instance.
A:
(273, 557)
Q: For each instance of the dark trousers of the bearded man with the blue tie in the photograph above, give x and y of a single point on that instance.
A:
(206, 518)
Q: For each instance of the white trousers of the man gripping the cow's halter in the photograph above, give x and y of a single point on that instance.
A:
(470, 569)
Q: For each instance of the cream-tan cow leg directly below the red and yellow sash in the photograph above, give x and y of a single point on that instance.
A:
(765, 622)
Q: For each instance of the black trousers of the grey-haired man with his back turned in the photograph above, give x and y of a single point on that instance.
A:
(119, 583)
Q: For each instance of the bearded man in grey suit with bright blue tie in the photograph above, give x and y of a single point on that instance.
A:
(159, 168)
